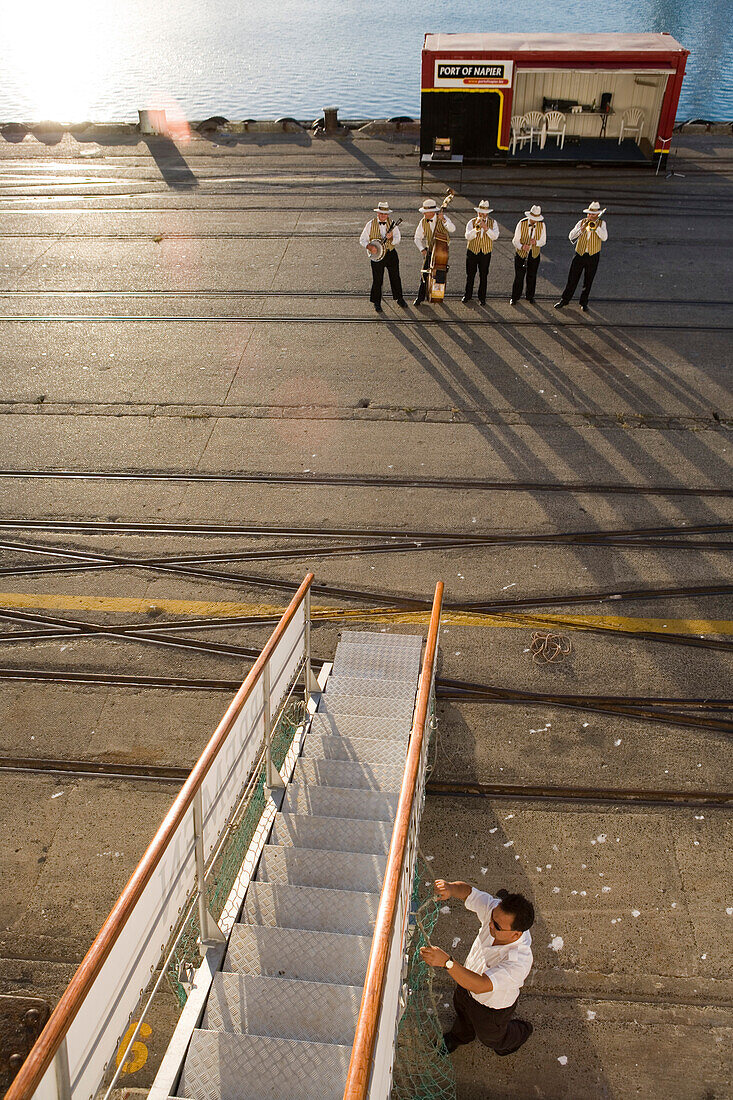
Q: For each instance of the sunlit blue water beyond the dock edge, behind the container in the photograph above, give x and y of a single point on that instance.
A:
(103, 60)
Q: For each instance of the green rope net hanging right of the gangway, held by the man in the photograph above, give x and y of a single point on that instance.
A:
(423, 1069)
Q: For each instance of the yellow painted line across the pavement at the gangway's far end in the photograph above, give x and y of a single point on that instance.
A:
(382, 615)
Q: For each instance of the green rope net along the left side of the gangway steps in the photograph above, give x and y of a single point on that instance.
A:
(222, 877)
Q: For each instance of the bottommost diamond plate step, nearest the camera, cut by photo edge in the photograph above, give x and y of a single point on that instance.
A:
(224, 1066)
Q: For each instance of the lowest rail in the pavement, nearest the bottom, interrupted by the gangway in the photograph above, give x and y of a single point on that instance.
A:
(162, 774)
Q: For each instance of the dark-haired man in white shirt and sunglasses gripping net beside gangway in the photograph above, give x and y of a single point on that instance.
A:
(488, 985)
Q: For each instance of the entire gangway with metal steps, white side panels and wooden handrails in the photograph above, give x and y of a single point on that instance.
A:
(299, 991)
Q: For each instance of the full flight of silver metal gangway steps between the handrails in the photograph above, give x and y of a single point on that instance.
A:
(281, 1016)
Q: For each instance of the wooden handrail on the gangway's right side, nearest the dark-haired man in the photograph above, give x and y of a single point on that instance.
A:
(371, 1003)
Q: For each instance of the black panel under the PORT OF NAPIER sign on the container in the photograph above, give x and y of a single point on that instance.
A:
(469, 118)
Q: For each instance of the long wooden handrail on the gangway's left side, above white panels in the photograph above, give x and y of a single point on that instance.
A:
(31, 1073)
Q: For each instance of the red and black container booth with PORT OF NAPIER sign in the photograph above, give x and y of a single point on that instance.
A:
(552, 97)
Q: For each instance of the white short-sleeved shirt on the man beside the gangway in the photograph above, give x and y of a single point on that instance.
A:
(508, 965)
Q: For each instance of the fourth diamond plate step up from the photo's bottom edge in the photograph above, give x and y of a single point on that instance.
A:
(348, 911)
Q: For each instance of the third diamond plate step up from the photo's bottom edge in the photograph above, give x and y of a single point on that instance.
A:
(298, 954)
